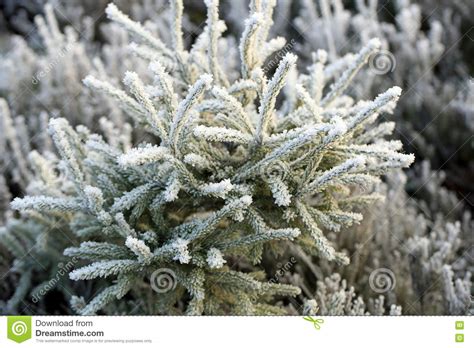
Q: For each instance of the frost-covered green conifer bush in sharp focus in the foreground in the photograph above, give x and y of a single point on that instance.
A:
(225, 175)
